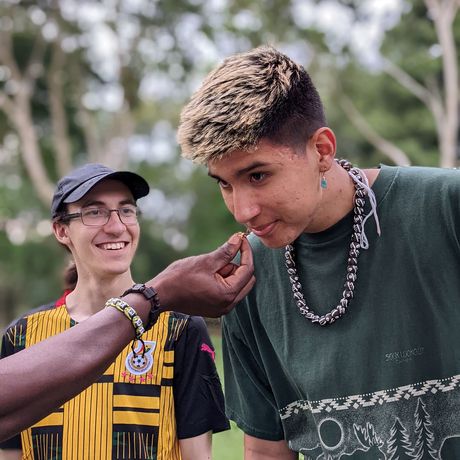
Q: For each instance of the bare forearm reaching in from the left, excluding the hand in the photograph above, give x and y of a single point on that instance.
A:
(41, 378)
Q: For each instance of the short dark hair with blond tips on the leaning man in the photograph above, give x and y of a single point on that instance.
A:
(258, 94)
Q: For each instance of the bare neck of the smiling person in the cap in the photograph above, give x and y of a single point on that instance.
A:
(90, 294)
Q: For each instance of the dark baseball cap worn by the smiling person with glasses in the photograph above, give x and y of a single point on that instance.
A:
(80, 181)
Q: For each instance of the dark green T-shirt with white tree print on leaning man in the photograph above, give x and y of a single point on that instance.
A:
(383, 380)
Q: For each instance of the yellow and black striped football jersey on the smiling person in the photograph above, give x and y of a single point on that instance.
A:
(142, 404)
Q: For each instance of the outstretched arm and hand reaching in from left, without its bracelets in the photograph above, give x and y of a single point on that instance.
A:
(41, 378)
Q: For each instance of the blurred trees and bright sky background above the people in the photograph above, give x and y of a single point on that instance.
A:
(105, 81)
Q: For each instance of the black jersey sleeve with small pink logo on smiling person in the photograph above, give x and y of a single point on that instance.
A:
(198, 396)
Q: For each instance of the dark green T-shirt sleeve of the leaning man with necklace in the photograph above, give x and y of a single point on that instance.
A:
(249, 398)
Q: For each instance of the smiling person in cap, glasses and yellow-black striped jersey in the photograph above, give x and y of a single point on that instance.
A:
(161, 397)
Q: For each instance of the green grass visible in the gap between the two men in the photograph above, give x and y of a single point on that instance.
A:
(227, 445)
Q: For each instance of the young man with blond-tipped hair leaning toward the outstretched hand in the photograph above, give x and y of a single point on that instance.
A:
(321, 358)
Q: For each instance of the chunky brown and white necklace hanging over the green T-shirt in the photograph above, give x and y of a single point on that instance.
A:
(352, 263)
